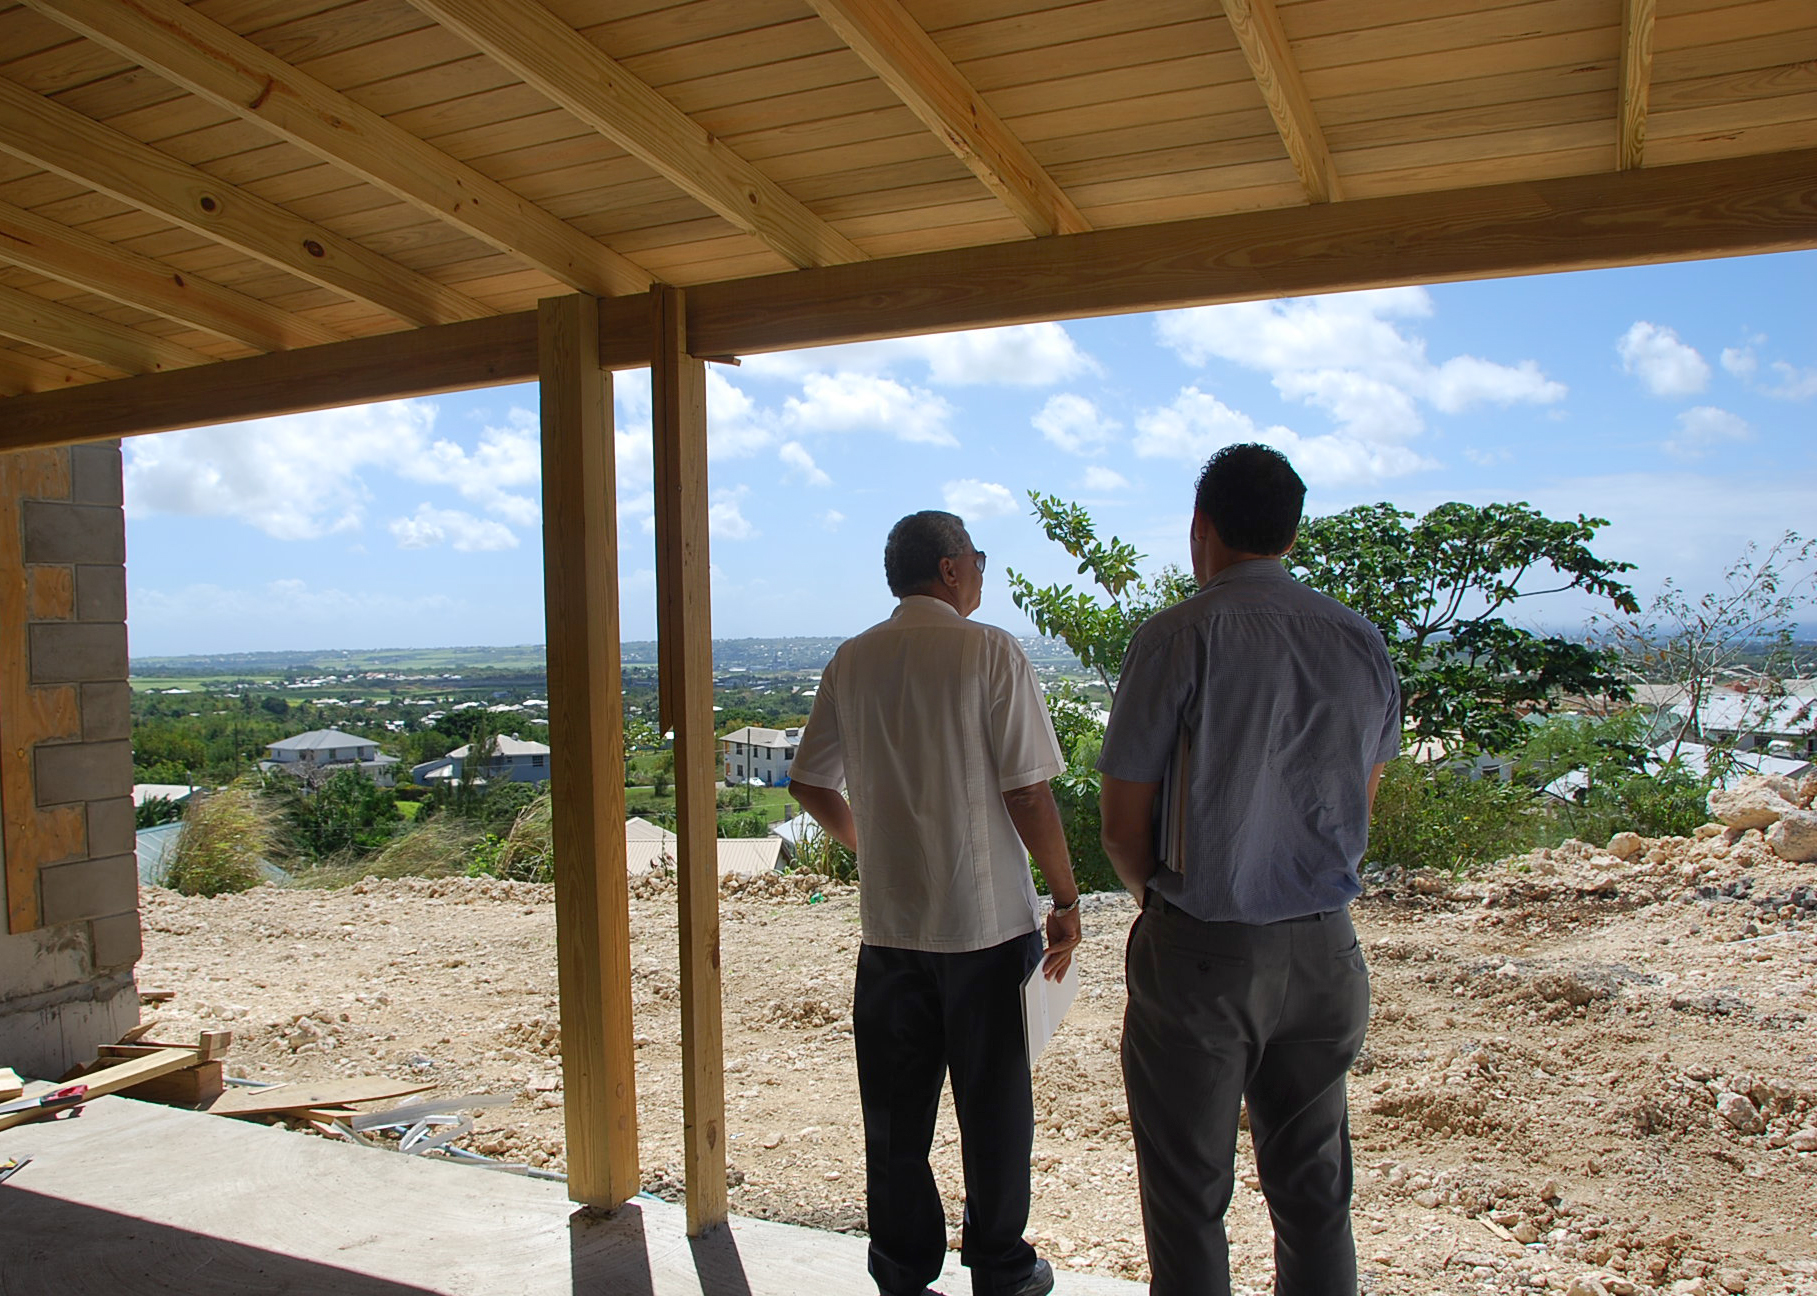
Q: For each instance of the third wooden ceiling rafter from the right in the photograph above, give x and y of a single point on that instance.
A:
(899, 50)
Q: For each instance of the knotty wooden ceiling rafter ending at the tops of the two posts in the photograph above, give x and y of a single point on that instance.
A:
(206, 59)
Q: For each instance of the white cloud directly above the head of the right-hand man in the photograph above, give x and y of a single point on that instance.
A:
(1196, 424)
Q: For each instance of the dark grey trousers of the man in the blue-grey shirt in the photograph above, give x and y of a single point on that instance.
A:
(1222, 1013)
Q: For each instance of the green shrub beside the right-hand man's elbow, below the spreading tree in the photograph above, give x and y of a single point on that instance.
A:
(1444, 821)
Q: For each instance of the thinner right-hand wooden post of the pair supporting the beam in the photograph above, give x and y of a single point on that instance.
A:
(684, 628)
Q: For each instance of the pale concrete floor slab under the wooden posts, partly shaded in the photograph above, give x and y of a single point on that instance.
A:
(141, 1199)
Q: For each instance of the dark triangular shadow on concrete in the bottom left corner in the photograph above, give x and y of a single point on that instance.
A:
(55, 1248)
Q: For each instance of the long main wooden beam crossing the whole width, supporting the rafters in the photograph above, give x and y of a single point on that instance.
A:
(1702, 210)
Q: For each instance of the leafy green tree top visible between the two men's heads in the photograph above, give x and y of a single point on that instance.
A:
(1095, 626)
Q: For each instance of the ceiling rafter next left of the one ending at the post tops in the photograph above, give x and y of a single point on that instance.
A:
(99, 157)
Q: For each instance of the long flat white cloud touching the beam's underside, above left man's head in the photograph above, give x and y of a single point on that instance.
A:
(1024, 355)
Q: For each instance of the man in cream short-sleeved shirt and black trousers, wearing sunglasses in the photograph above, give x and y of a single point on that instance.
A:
(938, 730)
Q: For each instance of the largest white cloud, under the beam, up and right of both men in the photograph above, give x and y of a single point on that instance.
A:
(1347, 355)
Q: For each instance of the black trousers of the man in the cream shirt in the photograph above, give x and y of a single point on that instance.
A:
(915, 1017)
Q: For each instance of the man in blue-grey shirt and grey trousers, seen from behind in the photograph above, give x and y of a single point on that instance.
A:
(1246, 981)
